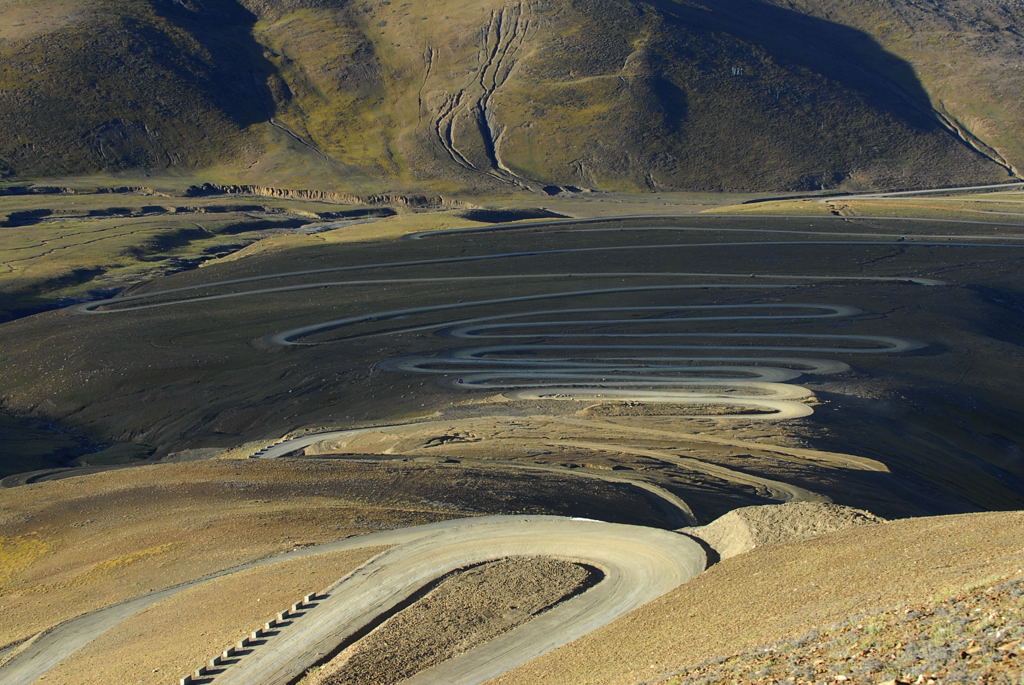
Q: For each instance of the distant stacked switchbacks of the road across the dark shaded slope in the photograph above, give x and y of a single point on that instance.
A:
(587, 371)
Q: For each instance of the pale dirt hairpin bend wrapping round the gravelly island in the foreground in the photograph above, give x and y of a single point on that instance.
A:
(639, 565)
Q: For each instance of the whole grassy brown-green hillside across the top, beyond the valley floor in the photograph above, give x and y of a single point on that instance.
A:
(500, 95)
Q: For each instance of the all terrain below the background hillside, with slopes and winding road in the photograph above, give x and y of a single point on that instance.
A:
(386, 416)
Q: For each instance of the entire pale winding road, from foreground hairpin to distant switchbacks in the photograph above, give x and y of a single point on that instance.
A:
(648, 354)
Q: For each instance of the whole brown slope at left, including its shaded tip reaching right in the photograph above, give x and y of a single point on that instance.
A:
(77, 545)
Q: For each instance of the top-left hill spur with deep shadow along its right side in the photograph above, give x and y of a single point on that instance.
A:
(131, 84)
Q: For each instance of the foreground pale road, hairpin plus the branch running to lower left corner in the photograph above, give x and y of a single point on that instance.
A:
(639, 565)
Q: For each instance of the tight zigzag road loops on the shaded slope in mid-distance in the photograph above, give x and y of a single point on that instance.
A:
(596, 378)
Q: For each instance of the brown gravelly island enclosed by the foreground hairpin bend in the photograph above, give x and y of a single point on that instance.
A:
(466, 610)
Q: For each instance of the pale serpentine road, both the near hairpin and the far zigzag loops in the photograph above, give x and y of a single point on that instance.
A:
(639, 564)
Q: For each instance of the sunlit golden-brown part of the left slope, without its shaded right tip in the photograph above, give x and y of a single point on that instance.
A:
(77, 545)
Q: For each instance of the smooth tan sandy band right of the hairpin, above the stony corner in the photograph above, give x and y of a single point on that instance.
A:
(784, 591)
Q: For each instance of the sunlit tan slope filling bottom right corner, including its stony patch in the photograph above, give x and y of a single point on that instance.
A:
(795, 592)
